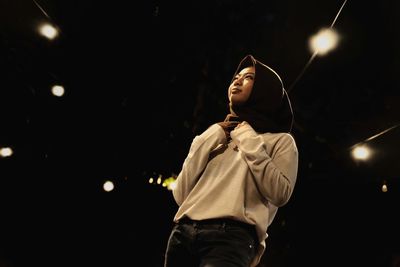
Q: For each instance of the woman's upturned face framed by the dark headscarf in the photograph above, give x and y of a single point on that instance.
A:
(241, 86)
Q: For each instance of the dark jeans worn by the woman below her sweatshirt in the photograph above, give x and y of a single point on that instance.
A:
(211, 243)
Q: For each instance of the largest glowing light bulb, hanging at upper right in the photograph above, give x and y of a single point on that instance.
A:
(324, 41)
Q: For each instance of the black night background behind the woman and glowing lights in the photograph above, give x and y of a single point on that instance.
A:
(143, 78)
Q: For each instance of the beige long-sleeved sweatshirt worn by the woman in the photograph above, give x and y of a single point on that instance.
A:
(246, 179)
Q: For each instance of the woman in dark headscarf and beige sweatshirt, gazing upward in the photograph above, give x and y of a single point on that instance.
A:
(236, 175)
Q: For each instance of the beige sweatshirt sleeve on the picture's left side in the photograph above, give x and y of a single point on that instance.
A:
(196, 161)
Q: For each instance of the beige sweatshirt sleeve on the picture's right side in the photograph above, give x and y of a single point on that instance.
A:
(274, 176)
